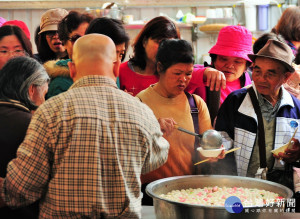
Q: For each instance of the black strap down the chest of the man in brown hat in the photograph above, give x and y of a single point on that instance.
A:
(261, 131)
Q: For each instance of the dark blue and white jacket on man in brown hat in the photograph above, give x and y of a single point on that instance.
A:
(237, 123)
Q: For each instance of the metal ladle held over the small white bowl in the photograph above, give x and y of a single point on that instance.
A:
(211, 139)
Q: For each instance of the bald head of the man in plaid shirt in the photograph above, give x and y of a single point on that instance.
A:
(93, 54)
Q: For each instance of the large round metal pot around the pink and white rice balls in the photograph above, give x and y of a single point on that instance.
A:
(165, 209)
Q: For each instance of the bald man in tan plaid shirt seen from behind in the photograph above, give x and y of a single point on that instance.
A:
(86, 148)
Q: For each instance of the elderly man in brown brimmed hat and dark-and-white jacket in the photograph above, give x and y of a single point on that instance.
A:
(263, 117)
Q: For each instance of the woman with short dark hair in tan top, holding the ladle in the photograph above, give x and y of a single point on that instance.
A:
(167, 99)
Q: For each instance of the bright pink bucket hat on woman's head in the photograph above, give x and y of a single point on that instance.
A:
(233, 41)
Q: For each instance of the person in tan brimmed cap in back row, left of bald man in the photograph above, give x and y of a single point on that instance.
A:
(49, 45)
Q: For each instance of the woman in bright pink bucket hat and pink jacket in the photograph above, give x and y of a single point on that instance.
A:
(228, 56)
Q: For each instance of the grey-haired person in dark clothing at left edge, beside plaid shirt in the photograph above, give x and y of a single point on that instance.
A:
(23, 85)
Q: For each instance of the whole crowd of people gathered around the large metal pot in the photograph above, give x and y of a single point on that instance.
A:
(83, 134)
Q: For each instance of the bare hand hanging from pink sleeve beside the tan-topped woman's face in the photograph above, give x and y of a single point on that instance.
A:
(214, 79)
